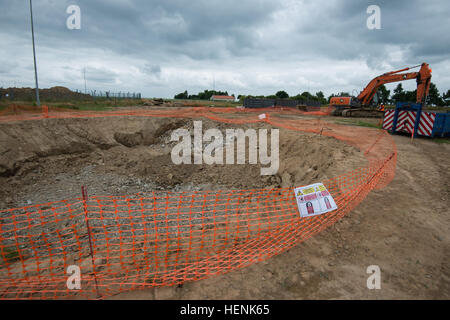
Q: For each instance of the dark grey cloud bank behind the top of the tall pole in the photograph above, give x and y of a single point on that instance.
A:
(129, 27)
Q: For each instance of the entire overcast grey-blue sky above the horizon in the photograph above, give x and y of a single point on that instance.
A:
(163, 47)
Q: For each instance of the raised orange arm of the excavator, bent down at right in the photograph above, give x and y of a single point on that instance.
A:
(423, 78)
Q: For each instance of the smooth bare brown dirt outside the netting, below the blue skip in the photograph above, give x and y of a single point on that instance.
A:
(404, 229)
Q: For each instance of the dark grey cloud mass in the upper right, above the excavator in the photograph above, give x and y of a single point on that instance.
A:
(339, 31)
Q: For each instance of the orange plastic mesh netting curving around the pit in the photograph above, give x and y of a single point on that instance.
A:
(165, 238)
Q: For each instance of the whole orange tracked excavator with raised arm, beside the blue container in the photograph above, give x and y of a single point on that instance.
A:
(365, 106)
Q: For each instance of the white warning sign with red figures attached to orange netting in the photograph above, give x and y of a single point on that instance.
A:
(314, 200)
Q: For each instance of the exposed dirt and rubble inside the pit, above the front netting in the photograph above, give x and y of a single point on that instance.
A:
(50, 159)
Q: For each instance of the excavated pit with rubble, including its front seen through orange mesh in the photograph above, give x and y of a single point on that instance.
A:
(150, 220)
